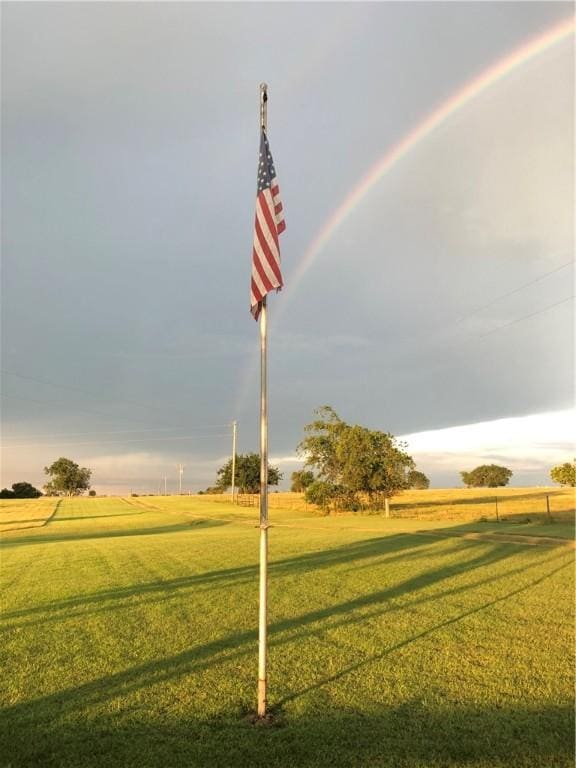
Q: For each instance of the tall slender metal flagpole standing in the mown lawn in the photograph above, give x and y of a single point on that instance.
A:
(263, 602)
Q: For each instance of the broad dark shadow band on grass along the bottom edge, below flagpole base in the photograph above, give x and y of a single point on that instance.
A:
(411, 735)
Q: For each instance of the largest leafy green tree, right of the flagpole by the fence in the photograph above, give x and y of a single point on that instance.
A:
(355, 465)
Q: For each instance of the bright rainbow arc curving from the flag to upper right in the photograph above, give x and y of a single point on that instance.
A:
(386, 162)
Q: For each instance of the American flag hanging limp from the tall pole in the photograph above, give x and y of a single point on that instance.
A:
(268, 224)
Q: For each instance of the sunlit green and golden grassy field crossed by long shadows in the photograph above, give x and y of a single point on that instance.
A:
(130, 635)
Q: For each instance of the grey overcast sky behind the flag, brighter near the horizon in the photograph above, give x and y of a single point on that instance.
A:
(129, 149)
